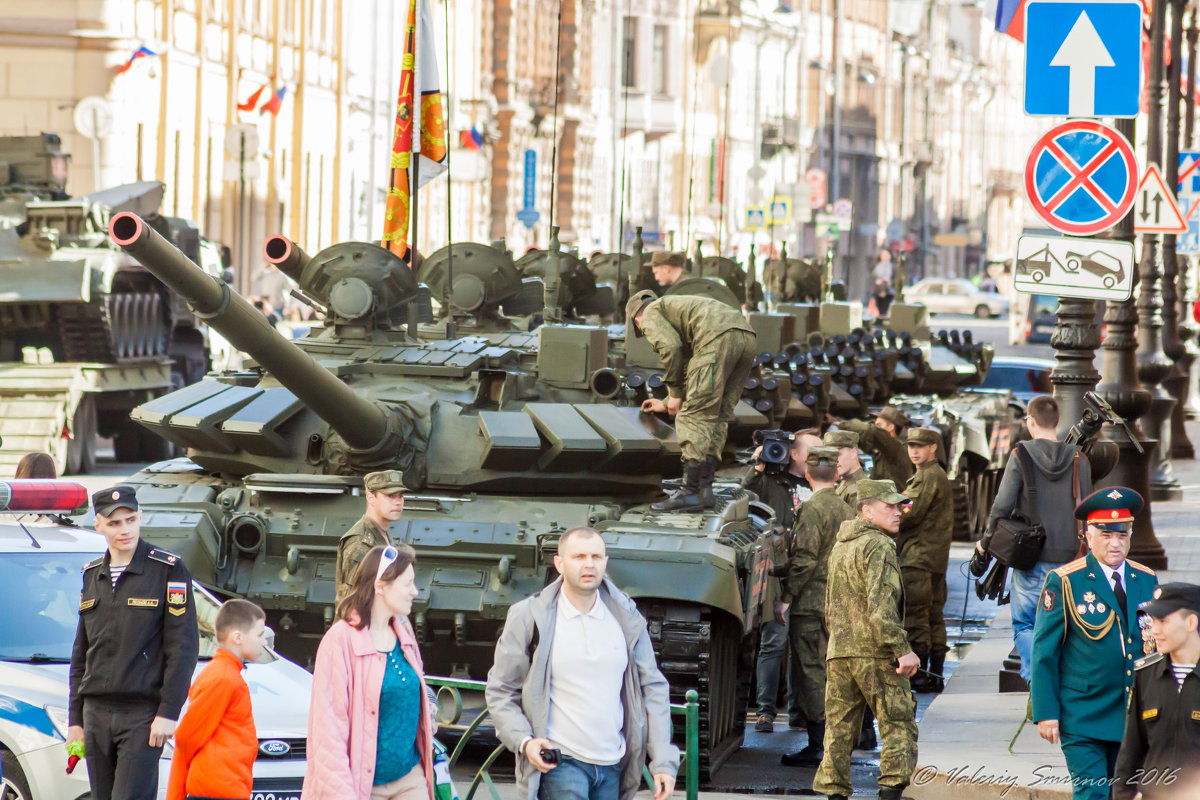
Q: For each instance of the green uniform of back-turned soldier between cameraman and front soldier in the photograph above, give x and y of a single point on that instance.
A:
(813, 538)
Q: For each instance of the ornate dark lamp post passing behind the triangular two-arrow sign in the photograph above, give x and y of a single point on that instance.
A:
(1153, 364)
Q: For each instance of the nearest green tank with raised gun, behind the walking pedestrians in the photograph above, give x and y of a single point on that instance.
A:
(502, 448)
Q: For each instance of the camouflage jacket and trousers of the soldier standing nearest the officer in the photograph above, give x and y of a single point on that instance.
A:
(863, 617)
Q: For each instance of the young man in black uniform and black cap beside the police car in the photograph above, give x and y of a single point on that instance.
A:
(134, 657)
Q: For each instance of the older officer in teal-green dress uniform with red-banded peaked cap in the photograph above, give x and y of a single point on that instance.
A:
(1087, 639)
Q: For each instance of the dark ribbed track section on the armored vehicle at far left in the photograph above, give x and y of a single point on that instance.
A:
(115, 328)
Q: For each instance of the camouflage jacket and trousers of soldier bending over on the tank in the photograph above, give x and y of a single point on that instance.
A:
(707, 351)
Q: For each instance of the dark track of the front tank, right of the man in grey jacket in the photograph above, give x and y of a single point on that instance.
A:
(703, 648)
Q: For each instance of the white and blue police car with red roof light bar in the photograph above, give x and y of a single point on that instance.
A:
(41, 564)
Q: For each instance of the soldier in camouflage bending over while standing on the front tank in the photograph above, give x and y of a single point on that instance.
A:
(707, 351)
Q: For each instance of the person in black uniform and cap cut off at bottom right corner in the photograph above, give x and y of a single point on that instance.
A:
(1161, 751)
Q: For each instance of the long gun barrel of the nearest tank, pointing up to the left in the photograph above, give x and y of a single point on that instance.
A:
(359, 423)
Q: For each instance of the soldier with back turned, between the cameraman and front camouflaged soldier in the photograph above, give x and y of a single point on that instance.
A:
(805, 594)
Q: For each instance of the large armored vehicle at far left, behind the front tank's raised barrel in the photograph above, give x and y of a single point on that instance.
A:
(87, 334)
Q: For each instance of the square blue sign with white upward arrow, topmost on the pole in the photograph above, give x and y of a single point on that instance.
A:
(1075, 49)
